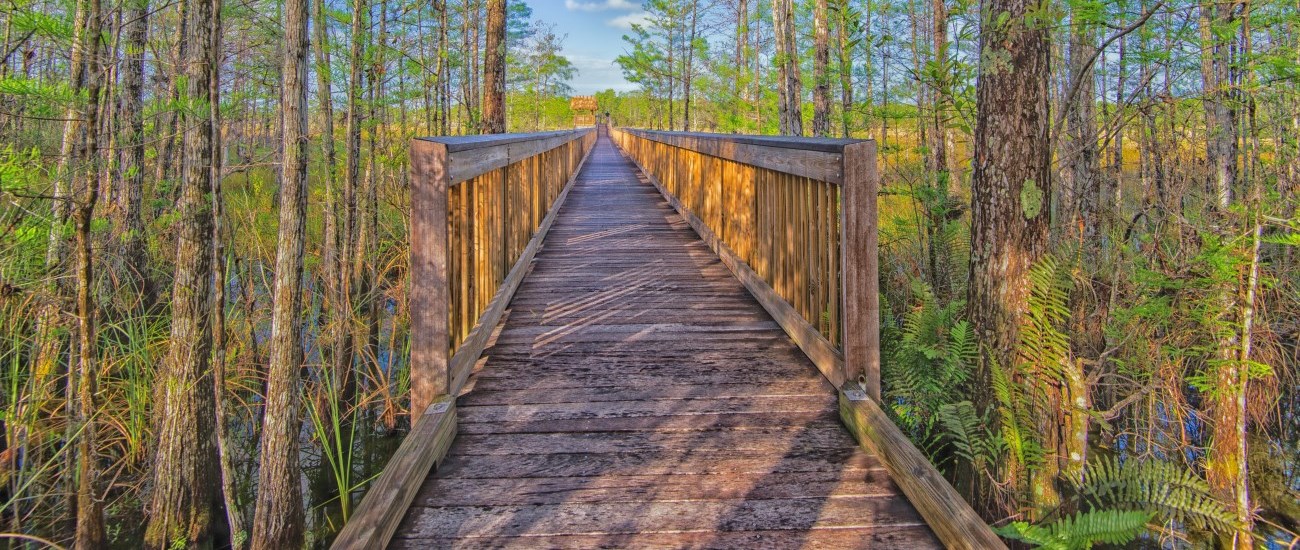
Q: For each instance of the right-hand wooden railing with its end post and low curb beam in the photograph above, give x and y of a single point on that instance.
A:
(795, 219)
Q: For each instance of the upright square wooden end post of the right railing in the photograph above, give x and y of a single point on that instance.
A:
(860, 270)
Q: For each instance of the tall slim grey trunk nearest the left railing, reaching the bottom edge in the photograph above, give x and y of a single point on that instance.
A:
(279, 518)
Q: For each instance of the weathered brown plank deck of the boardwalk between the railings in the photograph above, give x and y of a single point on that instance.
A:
(638, 396)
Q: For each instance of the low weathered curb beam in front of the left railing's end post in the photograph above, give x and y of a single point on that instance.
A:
(382, 510)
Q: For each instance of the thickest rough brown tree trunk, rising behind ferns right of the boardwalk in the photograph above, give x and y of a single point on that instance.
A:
(1011, 183)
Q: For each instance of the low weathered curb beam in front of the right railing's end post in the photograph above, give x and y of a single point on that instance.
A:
(947, 513)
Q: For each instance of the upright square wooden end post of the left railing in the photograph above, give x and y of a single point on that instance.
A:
(430, 298)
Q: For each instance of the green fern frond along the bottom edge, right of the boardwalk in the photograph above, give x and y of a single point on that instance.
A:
(1081, 531)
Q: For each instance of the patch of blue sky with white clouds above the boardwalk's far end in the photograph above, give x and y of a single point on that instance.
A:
(595, 31)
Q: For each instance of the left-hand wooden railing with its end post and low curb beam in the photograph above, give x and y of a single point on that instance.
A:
(480, 209)
